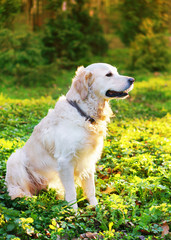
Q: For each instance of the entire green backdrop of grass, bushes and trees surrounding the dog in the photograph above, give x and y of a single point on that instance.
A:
(41, 44)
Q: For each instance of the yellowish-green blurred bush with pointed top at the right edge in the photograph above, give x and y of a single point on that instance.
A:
(149, 51)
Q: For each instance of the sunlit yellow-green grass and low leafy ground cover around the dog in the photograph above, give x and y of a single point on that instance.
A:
(133, 177)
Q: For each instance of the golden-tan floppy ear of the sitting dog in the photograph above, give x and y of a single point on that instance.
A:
(83, 79)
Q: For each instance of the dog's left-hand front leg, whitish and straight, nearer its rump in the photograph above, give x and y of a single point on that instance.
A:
(66, 174)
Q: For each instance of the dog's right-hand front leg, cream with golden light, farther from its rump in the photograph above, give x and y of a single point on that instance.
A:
(89, 189)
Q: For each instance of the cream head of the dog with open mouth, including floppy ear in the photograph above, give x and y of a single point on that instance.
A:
(104, 80)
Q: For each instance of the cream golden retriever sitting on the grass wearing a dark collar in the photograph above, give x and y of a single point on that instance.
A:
(68, 142)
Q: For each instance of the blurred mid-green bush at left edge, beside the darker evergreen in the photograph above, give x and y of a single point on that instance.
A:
(20, 57)
